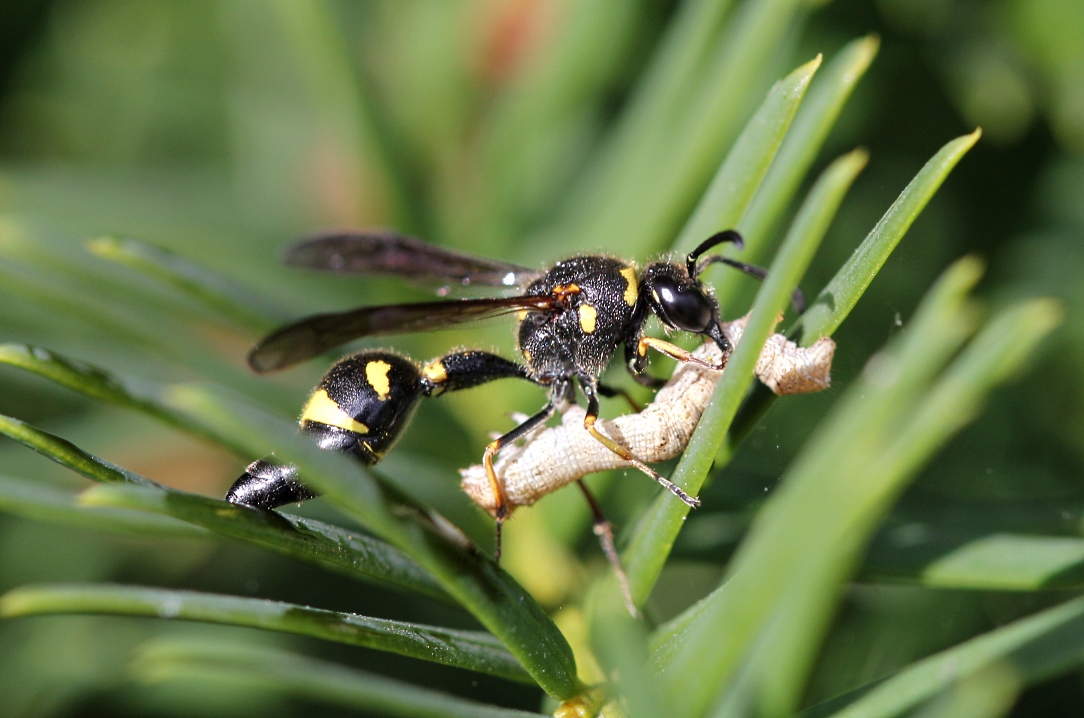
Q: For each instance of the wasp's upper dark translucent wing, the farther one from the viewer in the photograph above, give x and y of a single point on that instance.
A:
(382, 252)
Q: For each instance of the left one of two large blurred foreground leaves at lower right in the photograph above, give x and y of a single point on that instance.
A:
(780, 543)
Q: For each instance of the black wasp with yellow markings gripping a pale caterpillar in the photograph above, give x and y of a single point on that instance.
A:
(573, 318)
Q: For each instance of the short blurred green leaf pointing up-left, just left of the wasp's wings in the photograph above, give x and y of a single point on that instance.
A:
(209, 288)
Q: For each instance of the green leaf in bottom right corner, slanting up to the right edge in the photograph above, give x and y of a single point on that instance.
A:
(1035, 649)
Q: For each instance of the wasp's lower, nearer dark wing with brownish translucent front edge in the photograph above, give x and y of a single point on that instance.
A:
(314, 336)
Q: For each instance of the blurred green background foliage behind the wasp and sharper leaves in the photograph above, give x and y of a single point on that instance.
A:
(224, 130)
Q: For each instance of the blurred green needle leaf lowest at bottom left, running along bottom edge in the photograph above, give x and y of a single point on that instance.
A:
(268, 670)
